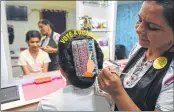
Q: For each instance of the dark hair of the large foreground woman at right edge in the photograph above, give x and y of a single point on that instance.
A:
(168, 11)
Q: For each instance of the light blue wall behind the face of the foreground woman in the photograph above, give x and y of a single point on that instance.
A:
(127, 15)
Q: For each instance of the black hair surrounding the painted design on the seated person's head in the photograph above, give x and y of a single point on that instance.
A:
(67, 63)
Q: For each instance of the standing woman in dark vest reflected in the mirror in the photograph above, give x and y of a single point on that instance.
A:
(49, 42)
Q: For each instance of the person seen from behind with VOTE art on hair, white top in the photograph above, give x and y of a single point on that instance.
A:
(80, 59)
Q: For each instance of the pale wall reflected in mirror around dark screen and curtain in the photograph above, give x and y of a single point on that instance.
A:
(21, 27)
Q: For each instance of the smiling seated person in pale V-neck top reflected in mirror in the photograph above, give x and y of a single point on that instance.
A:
(33, 60)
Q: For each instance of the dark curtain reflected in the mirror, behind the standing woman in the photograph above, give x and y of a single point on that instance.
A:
(57, 18)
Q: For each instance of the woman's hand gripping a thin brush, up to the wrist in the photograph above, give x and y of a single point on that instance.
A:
(109, 81)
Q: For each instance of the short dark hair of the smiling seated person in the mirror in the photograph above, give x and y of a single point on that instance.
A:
(32, 33)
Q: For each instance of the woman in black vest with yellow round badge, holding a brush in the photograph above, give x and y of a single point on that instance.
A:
(147, 81)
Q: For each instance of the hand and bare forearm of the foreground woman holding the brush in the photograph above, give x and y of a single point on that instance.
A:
(110, 82)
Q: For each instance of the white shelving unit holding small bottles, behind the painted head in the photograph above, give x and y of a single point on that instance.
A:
(101, 12)
